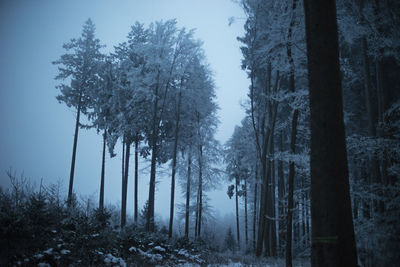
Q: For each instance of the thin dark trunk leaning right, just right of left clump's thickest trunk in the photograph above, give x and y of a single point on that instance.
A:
(171, 214)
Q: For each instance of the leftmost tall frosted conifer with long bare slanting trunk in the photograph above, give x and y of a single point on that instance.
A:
(80, 67)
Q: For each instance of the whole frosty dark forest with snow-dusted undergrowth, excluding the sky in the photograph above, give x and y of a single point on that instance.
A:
(313, 169)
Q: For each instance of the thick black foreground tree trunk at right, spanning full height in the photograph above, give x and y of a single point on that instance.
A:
(333, 242)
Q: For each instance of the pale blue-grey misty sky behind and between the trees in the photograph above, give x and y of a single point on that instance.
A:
(36, 133)
